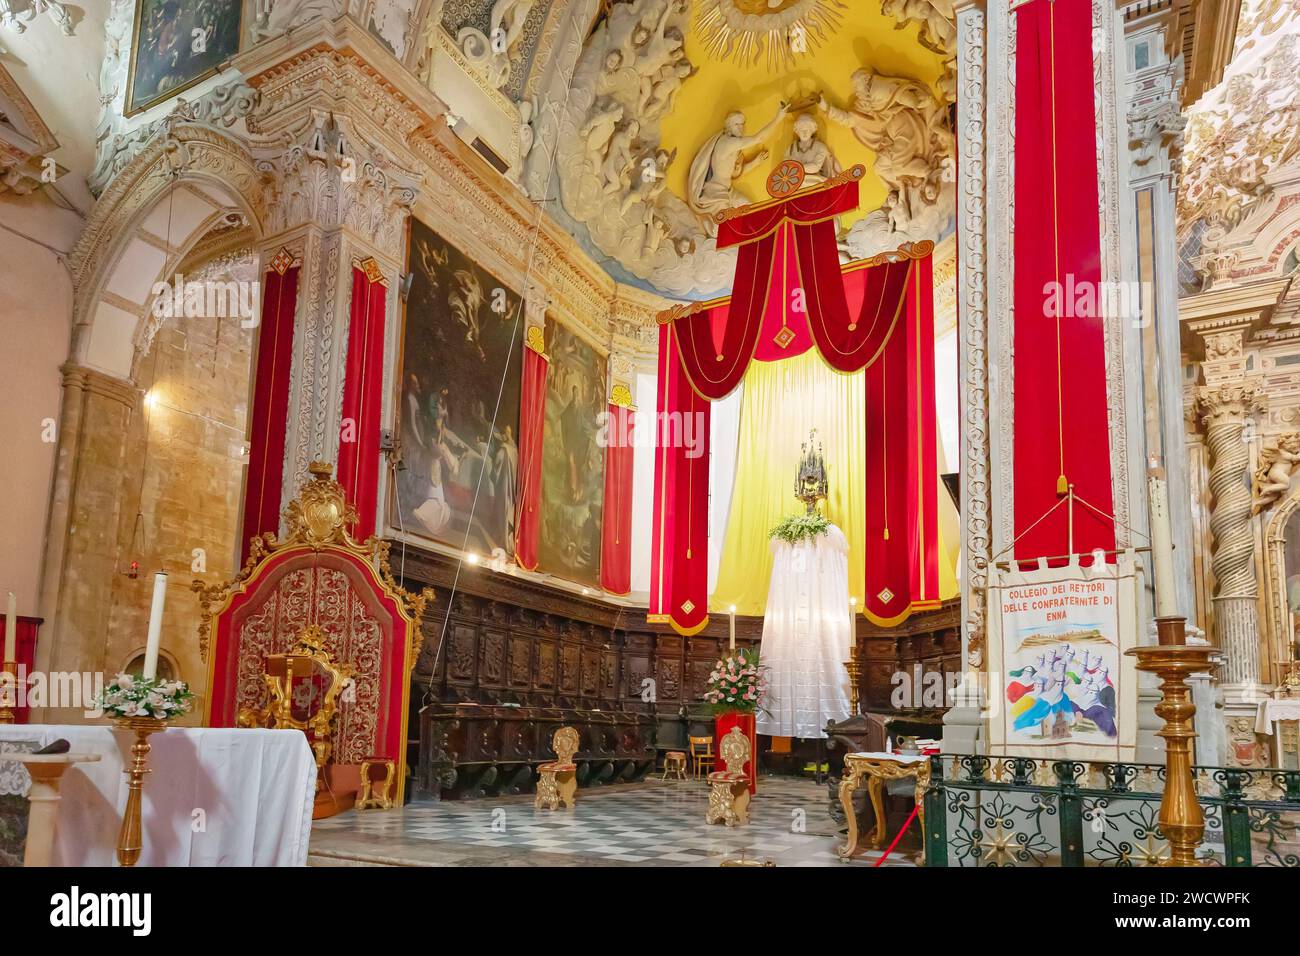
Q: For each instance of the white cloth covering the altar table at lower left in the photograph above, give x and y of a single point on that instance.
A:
(219, 797)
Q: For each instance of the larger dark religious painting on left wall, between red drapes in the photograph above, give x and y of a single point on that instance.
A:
(460, 448)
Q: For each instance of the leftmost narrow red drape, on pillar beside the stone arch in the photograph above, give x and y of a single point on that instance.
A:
(270, 413)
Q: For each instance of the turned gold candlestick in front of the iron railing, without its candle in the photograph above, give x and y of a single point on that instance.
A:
(1173, 663)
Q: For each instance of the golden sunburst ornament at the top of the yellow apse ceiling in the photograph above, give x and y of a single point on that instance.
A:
(782, 31)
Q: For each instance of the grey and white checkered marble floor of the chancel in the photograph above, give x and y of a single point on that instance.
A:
(652, 824)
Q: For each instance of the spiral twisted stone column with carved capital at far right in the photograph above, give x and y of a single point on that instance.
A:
(1225, 412)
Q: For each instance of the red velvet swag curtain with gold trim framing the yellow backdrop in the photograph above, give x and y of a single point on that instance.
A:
(876, 317)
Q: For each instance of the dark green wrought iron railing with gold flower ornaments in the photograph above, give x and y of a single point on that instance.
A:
(1020, 812)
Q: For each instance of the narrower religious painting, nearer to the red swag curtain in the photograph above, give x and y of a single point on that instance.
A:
(573, 461)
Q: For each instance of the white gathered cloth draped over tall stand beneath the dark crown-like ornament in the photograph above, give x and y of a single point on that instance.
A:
(807, 637)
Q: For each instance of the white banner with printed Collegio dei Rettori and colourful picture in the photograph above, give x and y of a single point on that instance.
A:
(1060, 684)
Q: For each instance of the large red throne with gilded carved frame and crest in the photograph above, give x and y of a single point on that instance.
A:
(315, 634)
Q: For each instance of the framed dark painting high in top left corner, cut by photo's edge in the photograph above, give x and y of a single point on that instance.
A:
(179, 44)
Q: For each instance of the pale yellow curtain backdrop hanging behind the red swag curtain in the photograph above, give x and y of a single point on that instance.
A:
(783, 401)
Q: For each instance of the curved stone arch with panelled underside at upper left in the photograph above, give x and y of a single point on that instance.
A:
(187, 181)
